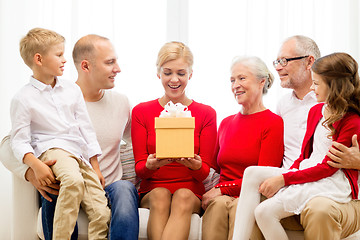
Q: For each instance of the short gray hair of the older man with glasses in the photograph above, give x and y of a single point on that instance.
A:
(305, 46)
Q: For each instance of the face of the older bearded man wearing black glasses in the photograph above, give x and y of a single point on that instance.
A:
(293, 75)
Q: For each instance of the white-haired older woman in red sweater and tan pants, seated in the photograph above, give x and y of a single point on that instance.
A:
(254, 136)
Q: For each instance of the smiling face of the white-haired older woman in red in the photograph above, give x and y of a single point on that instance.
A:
(246, 88)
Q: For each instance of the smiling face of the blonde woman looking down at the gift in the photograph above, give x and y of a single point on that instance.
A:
(174, 76)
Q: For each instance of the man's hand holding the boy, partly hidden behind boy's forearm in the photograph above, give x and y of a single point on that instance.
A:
(43, 190)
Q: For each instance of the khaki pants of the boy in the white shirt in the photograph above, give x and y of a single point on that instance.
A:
(79, 184)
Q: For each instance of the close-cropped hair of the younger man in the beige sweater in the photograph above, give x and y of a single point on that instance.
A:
(85, 49)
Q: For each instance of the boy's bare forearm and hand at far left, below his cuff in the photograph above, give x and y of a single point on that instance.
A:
(43, 173)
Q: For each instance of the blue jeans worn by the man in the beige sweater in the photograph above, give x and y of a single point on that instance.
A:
(123, 199)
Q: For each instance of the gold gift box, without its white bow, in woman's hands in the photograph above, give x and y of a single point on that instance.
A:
(174, 137)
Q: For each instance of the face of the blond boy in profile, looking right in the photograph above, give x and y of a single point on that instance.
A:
(53, 61)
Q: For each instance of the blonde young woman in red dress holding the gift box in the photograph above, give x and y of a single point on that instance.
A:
(172, 188)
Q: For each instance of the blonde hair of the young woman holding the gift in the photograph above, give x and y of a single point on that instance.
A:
(173, 51)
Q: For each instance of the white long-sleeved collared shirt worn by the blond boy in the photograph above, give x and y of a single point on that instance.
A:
(44, 117)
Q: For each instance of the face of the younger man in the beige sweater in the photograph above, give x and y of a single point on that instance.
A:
(104, 65)
